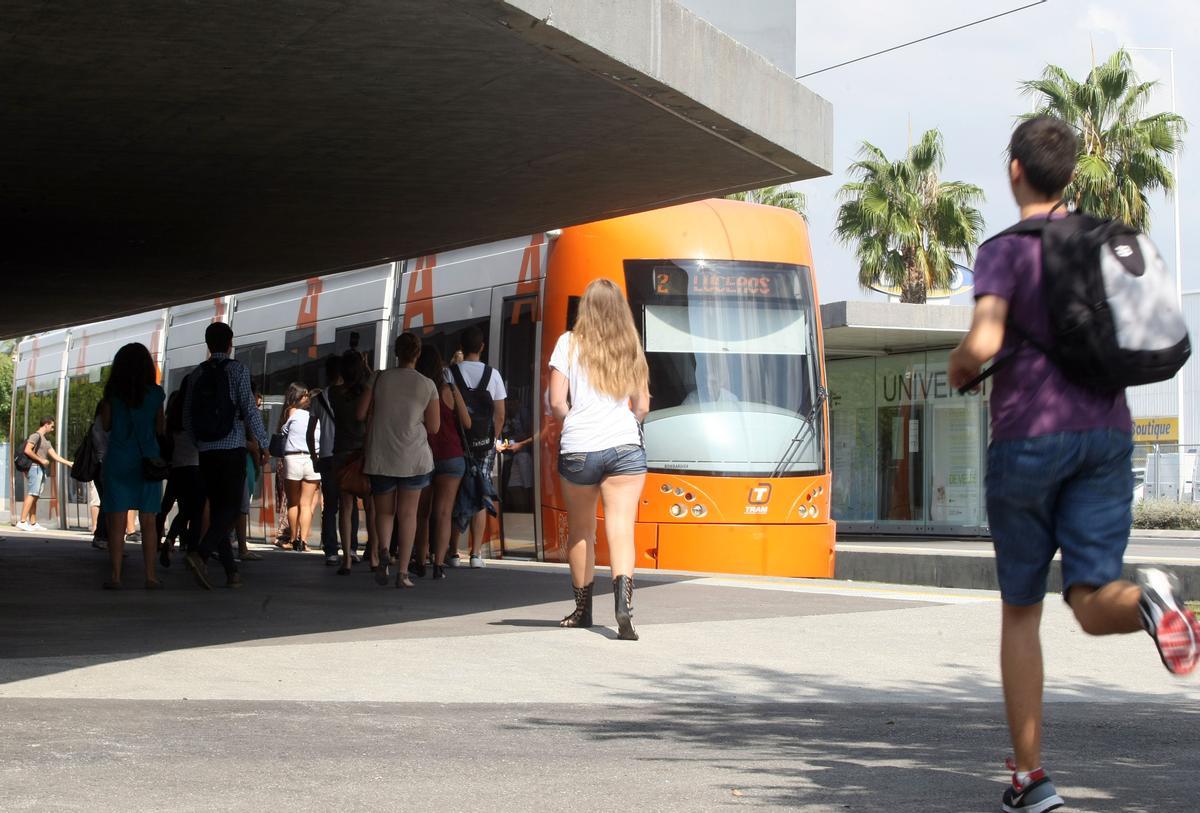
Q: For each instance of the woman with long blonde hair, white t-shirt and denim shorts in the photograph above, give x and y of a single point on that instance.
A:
(599, 394)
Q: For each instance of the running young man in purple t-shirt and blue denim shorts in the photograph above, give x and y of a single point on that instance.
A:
(1059, 472)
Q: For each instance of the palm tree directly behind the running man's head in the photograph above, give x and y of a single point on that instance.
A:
(1123, 154)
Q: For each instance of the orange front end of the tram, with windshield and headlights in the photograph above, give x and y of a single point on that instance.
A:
(725, 300)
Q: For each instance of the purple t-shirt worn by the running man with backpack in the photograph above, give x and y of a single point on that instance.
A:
(1030, 396)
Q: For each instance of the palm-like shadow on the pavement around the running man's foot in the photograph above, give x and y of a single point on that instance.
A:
(941, 755)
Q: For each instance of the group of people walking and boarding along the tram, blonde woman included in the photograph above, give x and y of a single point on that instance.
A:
(417, 443)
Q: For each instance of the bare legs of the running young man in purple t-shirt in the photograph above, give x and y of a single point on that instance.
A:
(1112, 610)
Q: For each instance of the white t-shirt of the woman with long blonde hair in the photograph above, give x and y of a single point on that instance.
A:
(596, 421)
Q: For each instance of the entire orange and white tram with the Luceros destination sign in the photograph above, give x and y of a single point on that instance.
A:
(727, 304)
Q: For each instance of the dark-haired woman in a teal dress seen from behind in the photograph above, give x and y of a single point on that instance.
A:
(133, 414)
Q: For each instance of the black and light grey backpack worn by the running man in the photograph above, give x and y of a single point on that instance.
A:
(1114, 315)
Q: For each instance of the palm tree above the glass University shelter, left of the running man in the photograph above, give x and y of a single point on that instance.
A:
(904, 221)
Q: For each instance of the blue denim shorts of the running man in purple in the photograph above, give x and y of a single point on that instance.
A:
(1072, 492)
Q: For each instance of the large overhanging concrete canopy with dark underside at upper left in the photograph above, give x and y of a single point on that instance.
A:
(154, 154)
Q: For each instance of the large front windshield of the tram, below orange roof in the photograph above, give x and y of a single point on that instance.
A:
(735, 377)
